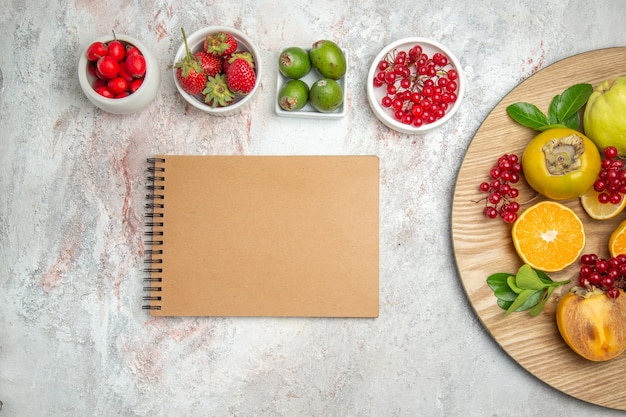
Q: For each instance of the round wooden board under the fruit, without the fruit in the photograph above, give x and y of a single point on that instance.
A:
(483, 246)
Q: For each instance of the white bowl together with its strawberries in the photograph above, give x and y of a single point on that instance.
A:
(217, 70)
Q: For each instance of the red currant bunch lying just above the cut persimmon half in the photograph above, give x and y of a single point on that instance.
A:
(609, 275)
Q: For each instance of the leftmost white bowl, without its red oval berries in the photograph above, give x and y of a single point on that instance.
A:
(136, 101)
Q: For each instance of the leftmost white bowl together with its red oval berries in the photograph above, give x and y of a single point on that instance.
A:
(119, 74)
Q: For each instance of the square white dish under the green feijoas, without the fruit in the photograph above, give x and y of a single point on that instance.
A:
(308, 112)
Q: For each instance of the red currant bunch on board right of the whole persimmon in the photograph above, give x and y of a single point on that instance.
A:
(611, 182)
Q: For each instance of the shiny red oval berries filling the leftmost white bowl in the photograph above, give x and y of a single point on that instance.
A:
(119, 68)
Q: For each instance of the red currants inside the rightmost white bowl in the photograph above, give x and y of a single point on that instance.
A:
(420, 89)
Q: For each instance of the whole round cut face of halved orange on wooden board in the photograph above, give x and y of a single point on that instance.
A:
(548, 236)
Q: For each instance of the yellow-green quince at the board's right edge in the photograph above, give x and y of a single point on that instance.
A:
(603, 120)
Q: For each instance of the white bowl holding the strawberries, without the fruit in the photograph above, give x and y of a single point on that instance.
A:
(195, 42)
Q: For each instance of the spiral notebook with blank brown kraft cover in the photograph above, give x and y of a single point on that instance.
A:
(262, 236)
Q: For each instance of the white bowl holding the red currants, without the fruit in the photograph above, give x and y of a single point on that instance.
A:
(375, 94)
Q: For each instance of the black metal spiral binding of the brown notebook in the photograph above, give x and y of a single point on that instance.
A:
(154, 233)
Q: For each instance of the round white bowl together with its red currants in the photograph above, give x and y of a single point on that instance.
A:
(415, 85)
